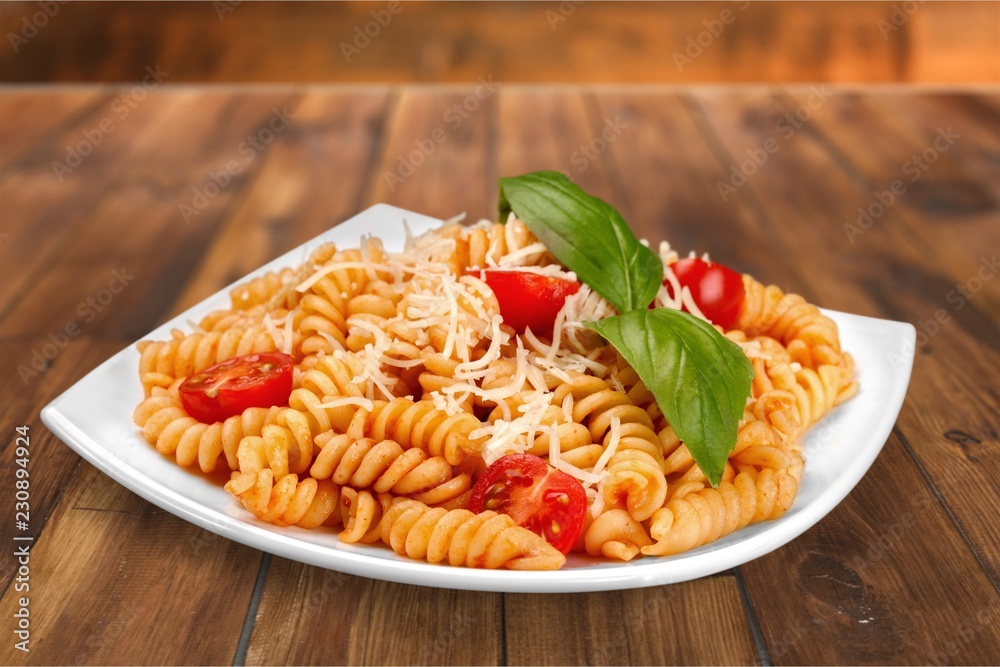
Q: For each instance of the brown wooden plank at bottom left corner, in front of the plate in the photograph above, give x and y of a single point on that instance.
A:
(116, 580)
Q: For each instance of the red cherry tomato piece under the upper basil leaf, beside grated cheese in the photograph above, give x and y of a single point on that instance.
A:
(528, 299)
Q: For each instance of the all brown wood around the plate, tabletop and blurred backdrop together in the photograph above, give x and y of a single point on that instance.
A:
(905, 571)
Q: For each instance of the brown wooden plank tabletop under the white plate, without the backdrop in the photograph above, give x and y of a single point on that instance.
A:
(903, 571)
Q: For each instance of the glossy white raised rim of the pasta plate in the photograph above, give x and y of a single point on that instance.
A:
(604, 576)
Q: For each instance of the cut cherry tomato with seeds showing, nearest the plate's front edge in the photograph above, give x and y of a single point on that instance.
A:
(537, 496)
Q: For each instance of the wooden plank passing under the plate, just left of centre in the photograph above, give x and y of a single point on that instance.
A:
(388, 623)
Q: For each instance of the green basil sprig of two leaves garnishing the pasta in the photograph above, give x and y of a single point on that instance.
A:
(700, 378)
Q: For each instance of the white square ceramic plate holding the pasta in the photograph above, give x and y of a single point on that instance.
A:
(94, 417)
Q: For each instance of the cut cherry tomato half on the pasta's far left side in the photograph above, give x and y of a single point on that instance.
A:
(228, 388)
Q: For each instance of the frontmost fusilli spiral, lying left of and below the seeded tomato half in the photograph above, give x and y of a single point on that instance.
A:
(485, 540)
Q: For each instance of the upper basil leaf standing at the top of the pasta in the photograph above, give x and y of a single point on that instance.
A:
(587, 235)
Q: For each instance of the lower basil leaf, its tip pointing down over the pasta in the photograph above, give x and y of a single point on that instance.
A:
(700, 379)
